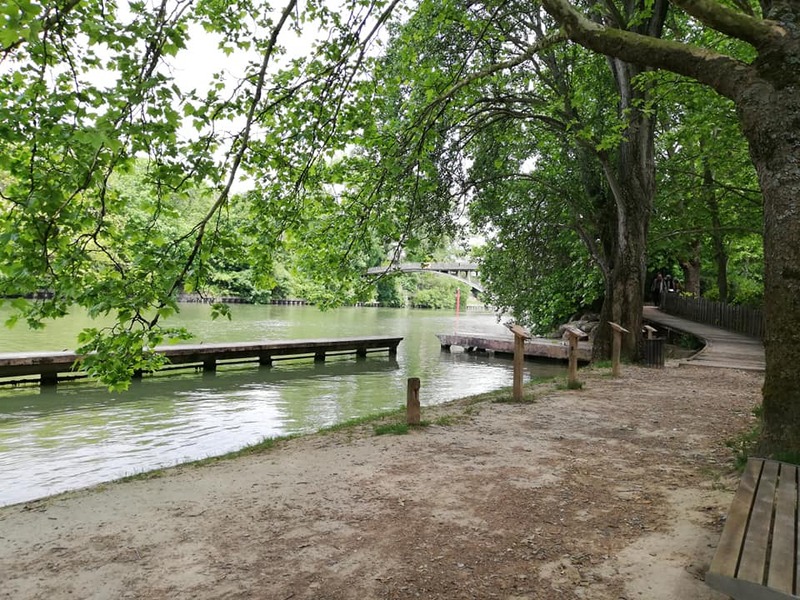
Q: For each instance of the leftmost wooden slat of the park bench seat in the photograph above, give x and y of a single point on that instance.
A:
(730, 544)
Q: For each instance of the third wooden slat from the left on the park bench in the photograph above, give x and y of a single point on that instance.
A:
(781, 563)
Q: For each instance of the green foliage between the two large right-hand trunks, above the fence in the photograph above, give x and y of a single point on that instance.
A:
(709, 209)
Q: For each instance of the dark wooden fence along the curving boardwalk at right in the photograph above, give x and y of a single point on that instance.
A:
(741, 319)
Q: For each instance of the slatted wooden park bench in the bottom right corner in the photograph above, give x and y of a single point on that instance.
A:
(757, 557)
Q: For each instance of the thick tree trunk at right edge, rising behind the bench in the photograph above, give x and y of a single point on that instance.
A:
(770, 117)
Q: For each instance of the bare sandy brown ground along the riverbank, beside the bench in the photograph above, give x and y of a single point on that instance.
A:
(617, 491)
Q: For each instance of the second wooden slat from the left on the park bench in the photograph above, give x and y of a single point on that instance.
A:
(754, 552)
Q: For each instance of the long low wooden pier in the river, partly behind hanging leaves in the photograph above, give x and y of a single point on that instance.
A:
(50, 365)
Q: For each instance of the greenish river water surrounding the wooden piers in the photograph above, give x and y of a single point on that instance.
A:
(79, 434)
